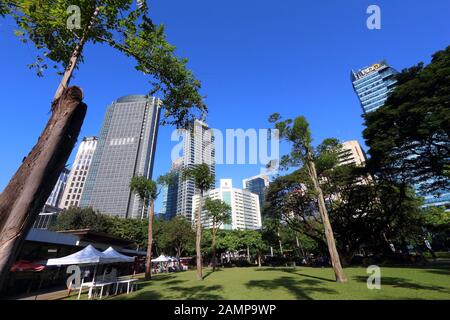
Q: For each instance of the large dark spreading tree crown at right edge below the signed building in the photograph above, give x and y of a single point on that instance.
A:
(408, 137)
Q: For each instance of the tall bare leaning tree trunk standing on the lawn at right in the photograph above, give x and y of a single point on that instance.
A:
(331, 243)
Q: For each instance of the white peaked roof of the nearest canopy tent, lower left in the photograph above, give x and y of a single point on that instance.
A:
(88, 255)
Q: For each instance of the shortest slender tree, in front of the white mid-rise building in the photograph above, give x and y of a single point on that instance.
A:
(218, 213)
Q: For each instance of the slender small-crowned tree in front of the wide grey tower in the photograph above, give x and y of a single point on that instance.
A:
(147, 191)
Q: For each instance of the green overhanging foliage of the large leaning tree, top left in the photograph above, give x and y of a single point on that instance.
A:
(122, 25)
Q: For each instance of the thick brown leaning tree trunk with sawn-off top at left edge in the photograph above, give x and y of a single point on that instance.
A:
(26, 193)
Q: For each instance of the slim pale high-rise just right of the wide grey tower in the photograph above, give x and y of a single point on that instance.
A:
(198, 147)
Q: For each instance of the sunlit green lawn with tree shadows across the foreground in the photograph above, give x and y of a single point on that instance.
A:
(296, 283)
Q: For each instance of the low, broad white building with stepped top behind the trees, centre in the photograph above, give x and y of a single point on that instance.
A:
(245, 210)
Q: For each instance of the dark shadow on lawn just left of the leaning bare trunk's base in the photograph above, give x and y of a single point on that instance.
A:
(301, 289)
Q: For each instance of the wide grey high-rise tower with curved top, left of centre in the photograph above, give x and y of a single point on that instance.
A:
(126, 148)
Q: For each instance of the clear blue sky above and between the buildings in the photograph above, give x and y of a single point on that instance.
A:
(254, 57)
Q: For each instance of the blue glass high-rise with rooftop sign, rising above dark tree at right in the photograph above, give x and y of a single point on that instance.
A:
(373, 85)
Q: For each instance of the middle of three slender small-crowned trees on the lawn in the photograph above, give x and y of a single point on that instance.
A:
(203, 179)
